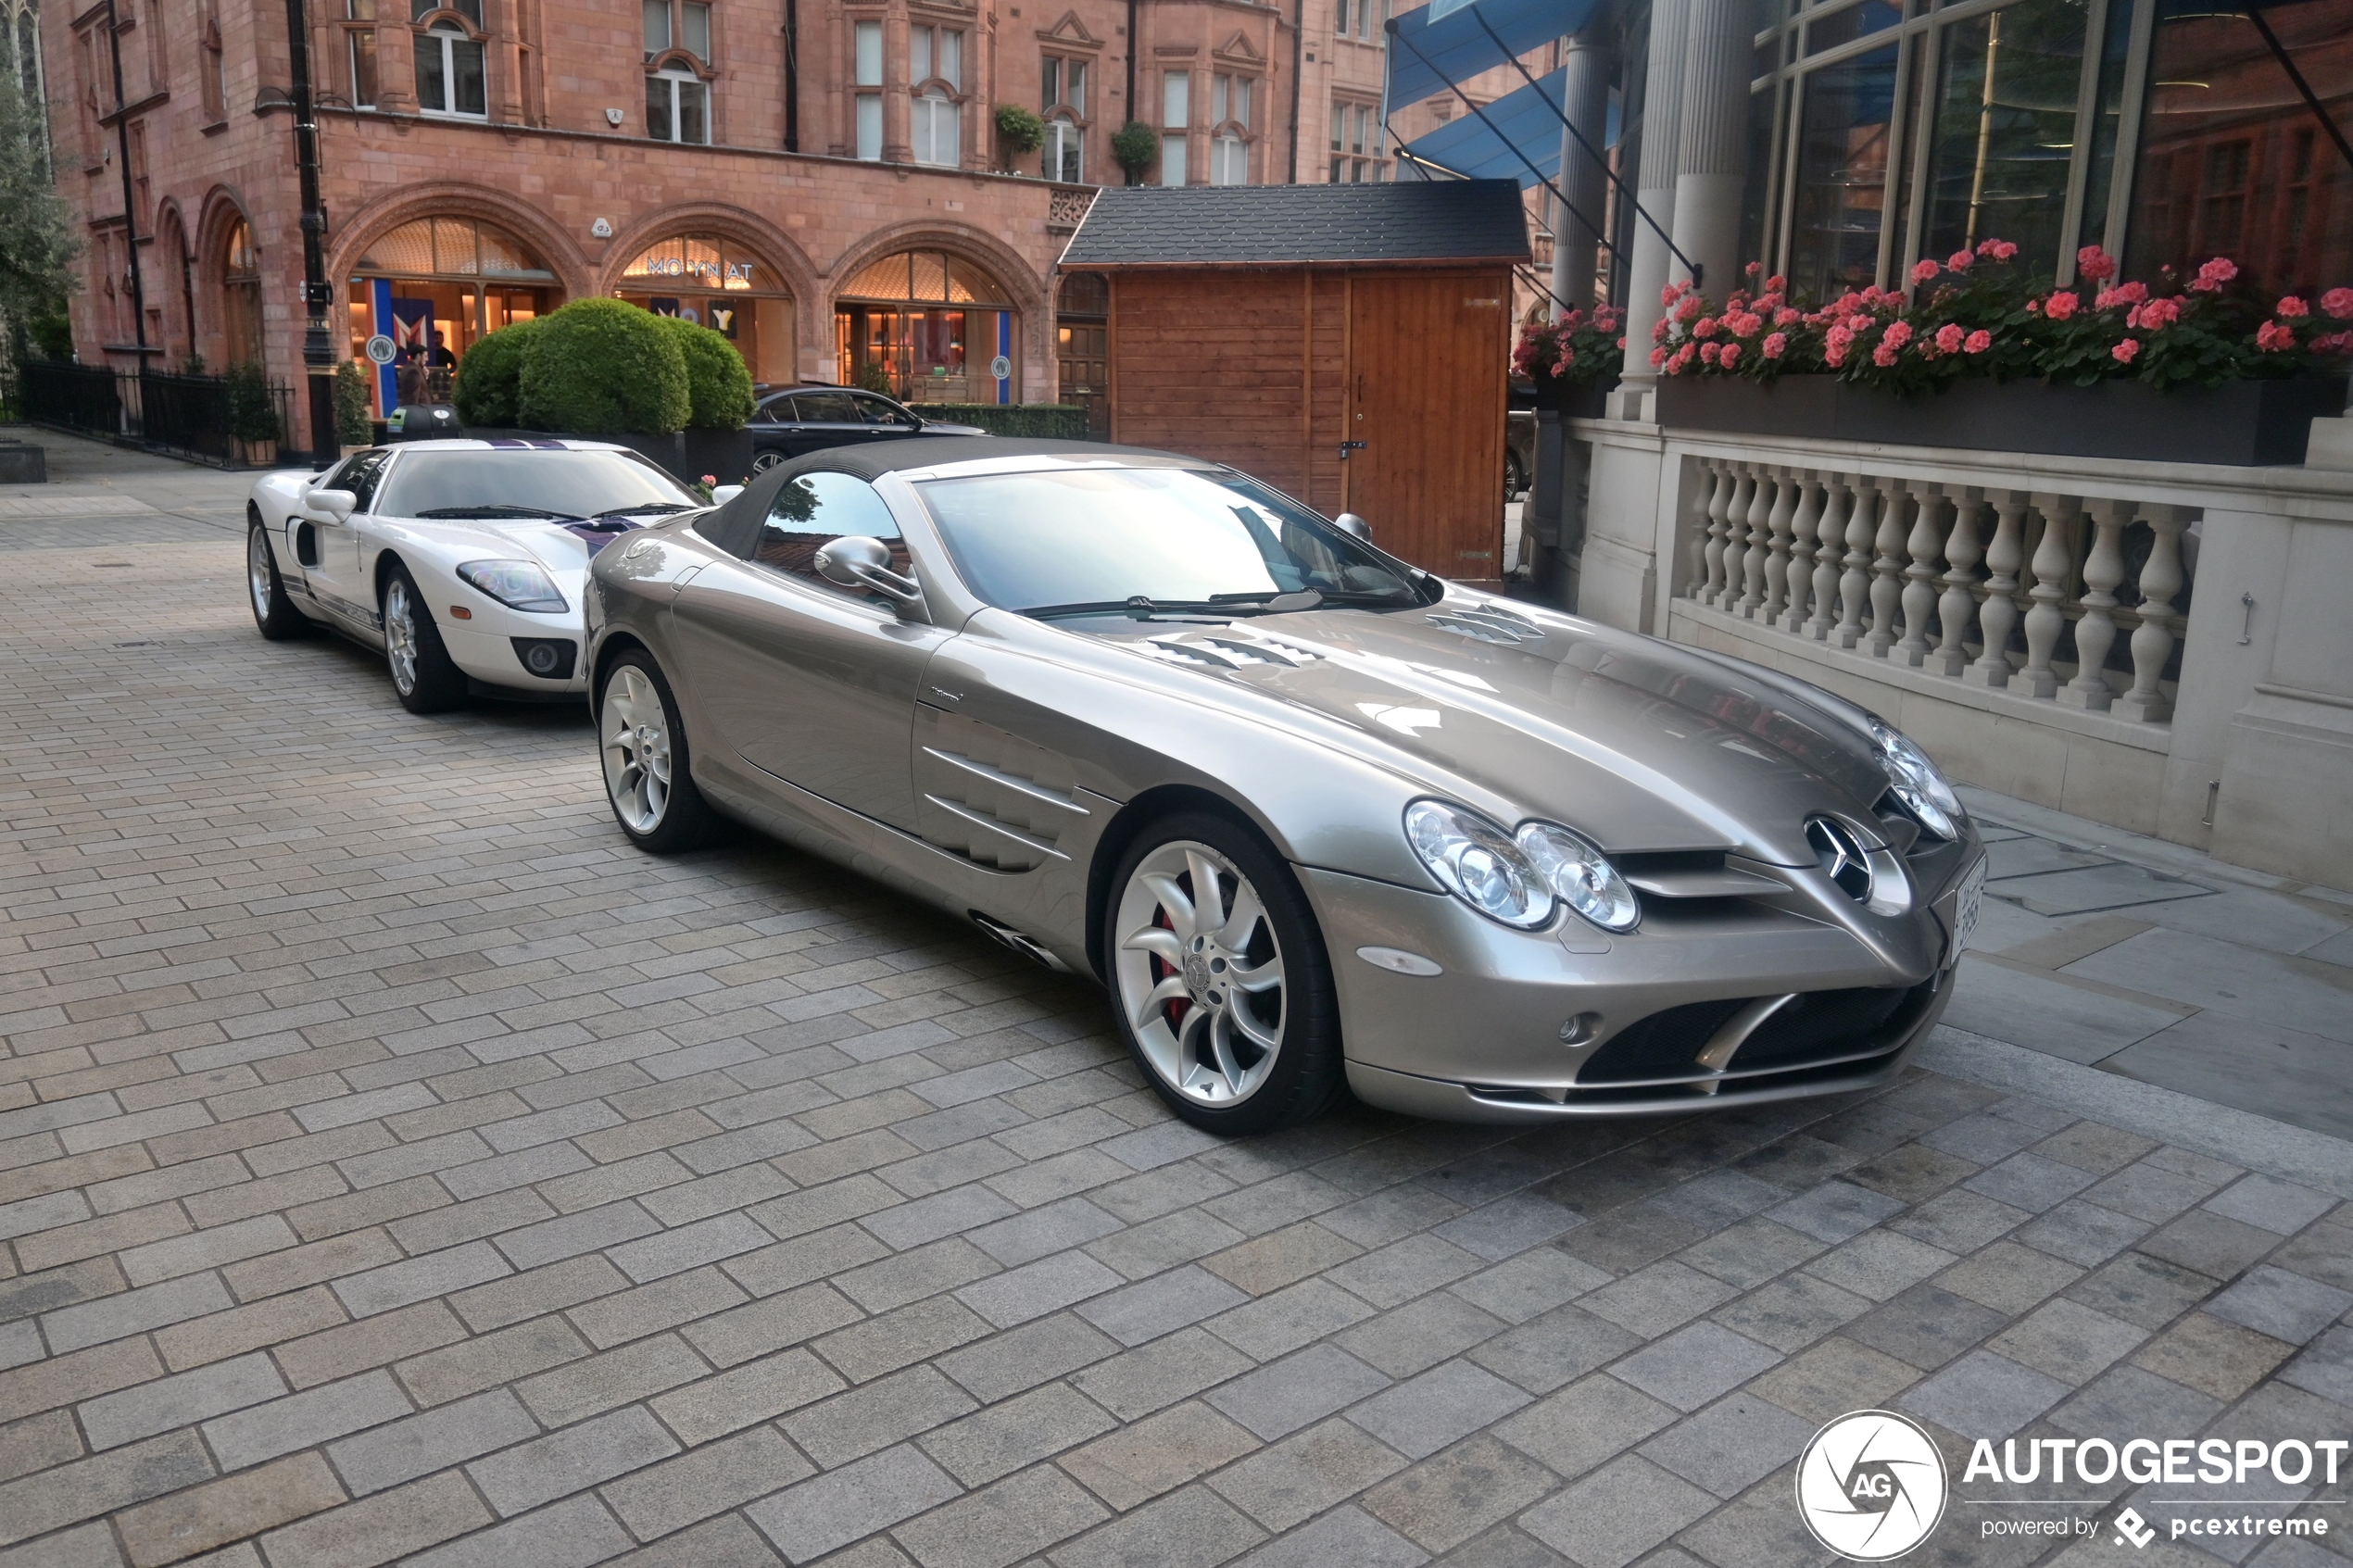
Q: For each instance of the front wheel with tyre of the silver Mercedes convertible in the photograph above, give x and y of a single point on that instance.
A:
(1220, 979)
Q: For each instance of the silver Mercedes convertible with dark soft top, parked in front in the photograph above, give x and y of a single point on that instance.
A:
(1317, 819)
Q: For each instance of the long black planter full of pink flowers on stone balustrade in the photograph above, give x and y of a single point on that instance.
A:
(1987, 356)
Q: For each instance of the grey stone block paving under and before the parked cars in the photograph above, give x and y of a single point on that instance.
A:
(396, 1167)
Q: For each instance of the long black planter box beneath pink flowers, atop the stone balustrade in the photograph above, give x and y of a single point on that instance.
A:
(2248, 424)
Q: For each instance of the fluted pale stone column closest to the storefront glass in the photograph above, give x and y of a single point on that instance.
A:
(1712, 152)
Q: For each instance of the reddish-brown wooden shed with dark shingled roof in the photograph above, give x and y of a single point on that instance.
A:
(1347, 344)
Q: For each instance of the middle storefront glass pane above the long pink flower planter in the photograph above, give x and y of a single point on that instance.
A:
(2006, 130)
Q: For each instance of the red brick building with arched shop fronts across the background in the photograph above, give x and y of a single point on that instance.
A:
(818, 177)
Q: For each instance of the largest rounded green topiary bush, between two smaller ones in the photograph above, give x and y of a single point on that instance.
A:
(604, 368)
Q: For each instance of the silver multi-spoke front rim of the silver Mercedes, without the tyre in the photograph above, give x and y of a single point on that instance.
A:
(1201, 974)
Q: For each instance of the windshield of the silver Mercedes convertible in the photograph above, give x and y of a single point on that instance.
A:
(1178, 537)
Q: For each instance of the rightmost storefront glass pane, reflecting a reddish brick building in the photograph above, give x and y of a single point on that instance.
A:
(2232, 163)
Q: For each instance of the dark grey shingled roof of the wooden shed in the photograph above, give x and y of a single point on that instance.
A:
(1458, 220)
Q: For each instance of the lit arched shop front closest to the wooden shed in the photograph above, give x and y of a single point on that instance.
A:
(928, 328)
